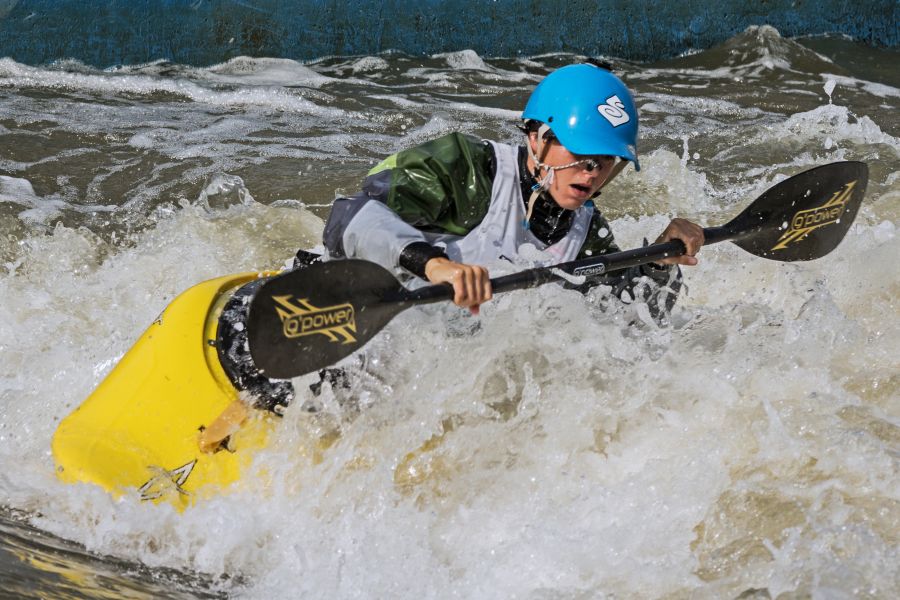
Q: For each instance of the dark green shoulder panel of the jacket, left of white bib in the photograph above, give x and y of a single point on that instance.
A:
(443, 185)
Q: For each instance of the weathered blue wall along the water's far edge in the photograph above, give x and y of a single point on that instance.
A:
(201, 32)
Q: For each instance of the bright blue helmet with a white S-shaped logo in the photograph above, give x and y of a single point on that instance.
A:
(589, 110)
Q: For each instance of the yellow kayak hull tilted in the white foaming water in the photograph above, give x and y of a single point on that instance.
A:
(140, 428)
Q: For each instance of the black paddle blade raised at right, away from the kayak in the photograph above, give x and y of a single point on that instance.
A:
(803, 217)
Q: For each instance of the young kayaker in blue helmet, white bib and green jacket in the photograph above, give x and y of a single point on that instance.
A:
(443, 210)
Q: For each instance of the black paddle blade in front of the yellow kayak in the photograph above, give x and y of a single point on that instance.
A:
(310, 318)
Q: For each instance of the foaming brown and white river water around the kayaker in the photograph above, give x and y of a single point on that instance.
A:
(557, 446)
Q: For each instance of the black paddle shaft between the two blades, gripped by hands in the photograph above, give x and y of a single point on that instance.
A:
(586, 267)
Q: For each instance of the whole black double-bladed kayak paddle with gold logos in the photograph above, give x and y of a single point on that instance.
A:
(310, 318)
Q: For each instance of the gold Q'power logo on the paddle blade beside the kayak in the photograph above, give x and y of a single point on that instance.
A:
(300, 318)
